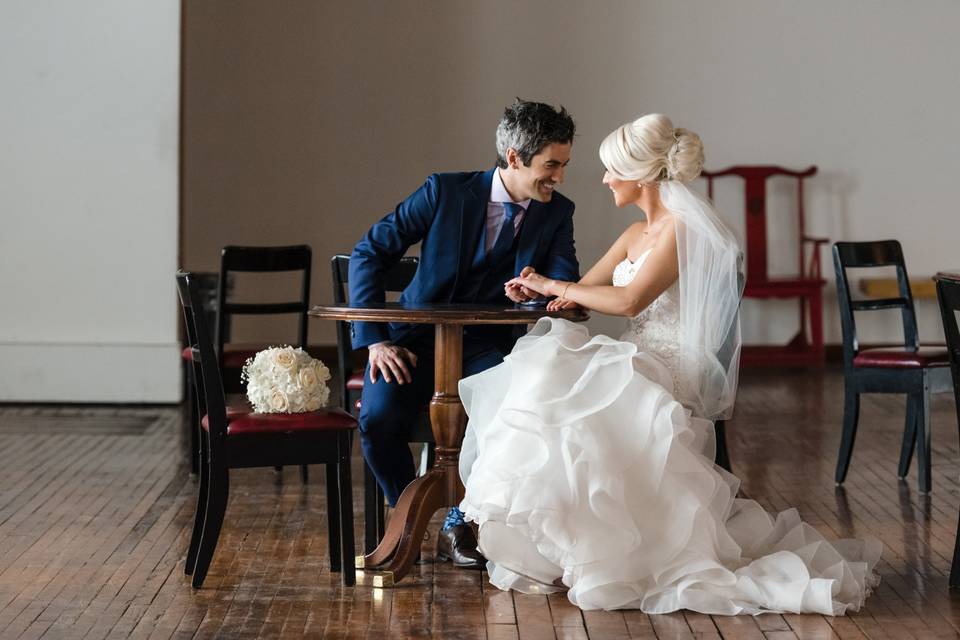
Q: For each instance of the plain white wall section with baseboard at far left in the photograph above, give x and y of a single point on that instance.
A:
(88, 199)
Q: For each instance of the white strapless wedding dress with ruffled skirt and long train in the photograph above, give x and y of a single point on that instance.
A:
(582, 465)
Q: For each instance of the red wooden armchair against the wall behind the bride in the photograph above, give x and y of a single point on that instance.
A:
(807, 286)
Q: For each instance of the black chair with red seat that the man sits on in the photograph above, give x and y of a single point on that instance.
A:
(351, 388)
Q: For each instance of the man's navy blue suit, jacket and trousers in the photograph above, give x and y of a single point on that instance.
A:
(447, 216)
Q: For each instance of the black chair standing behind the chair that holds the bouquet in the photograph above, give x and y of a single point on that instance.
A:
(231, 357)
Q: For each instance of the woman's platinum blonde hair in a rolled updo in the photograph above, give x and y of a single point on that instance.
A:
(650, 150)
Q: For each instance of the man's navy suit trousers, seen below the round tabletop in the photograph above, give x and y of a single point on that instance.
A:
(388, 409)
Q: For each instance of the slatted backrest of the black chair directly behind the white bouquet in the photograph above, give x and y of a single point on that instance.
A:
(236, 259)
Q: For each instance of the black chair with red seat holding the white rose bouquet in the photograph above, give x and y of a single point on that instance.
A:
(240, 439)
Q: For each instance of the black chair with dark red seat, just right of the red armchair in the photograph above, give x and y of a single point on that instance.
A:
(912, 369)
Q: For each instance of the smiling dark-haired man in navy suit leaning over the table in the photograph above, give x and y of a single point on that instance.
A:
(476, 230)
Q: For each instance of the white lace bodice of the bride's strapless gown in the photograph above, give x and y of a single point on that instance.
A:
(656, 329)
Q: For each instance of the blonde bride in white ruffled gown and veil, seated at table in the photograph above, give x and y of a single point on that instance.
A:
(588, 461)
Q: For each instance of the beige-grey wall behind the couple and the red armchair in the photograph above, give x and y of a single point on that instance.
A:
(306, 121)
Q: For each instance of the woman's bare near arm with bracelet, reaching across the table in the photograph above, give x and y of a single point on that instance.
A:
(658, 272)
